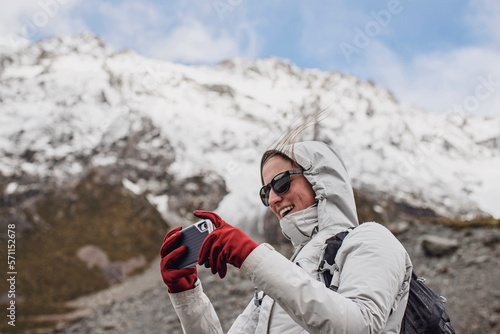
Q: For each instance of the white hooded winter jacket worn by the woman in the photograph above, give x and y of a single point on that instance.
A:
(371, 281)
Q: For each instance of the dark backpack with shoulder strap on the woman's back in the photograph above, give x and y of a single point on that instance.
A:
(425, 312)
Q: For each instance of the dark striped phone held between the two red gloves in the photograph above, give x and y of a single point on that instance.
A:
(193, 237)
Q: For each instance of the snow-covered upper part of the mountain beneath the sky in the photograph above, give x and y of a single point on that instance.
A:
(70, 103)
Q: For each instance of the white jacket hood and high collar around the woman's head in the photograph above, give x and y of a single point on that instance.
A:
(335, 209)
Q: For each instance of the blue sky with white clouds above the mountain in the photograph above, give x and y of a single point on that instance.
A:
(442, 56)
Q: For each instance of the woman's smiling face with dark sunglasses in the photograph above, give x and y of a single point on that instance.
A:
(300, 195)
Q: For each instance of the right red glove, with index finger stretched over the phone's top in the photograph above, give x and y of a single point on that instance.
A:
(226, 244)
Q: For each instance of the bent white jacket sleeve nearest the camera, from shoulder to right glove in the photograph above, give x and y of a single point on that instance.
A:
(372, 274)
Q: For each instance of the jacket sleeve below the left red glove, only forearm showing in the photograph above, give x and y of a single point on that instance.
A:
(195, 311)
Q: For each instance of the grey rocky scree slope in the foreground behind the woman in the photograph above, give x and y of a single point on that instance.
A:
(467, 277)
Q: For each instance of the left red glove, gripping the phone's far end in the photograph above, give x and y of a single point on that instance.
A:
(177, 280)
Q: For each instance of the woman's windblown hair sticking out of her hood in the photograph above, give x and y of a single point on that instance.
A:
(286, 141)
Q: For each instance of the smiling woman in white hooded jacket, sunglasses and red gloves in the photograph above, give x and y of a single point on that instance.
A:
(307, 187)
